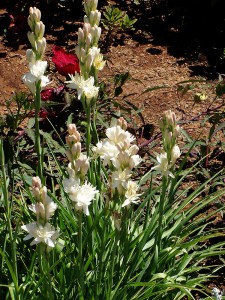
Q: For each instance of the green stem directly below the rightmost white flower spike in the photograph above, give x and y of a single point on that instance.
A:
(158, 237)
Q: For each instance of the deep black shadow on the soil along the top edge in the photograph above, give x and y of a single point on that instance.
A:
(193, 30)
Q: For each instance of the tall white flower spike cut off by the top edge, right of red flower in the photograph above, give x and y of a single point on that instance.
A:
(90, 59)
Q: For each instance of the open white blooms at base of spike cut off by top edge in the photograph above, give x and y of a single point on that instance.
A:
(83, 86)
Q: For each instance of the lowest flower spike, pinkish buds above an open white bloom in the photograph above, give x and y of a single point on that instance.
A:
(44, 208)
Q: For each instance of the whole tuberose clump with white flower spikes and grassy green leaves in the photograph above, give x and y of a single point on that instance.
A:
(103, 232)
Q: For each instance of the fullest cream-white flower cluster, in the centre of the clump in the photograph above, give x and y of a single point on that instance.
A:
(118, 152)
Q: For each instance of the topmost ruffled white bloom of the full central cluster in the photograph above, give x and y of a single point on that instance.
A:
(118, 136)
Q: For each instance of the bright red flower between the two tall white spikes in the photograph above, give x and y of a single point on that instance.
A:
(65, 63)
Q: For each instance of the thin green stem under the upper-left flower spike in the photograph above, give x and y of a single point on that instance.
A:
(38, 148)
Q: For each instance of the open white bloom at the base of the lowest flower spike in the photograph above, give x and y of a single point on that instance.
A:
(41, 234)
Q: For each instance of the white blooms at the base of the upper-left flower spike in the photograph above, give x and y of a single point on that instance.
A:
(36, 74)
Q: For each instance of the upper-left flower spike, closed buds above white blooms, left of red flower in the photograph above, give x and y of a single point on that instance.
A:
(34, 56)
